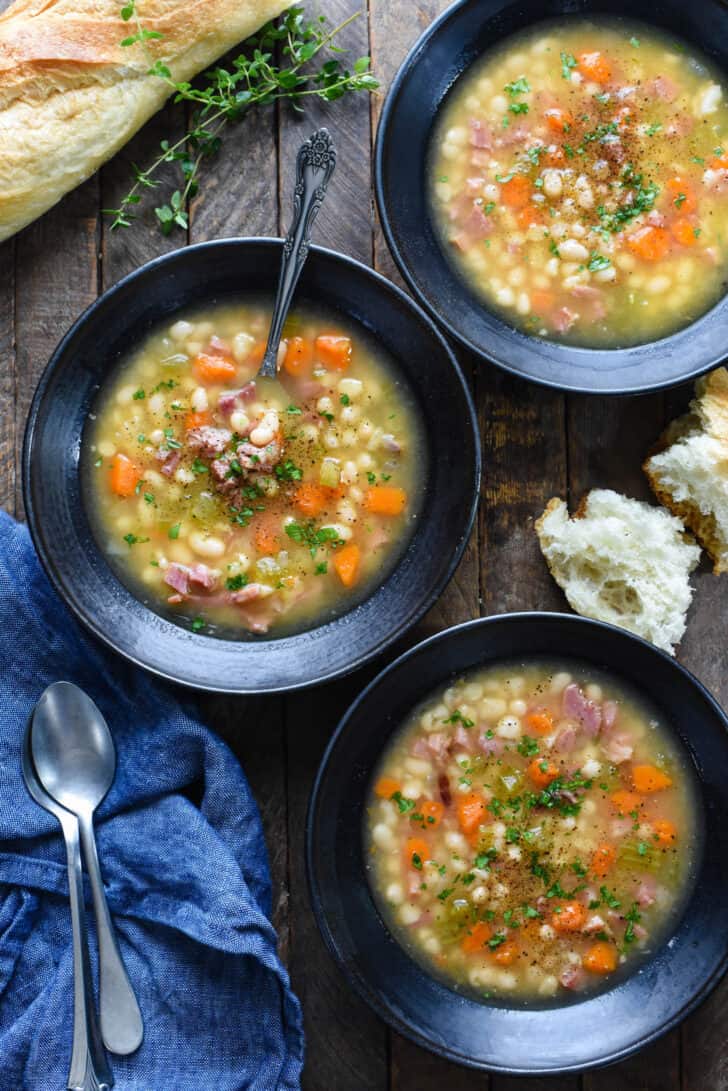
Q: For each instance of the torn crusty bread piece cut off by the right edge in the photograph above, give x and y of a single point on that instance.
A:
(689, 471)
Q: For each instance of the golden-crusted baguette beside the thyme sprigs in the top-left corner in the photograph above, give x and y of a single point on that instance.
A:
(71, 95)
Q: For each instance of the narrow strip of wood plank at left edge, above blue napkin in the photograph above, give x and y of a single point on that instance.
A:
(8, 377)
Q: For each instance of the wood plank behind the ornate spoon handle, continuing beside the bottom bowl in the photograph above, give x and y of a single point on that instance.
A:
(347, 1045)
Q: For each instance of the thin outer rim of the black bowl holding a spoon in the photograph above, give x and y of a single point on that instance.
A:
(160, 263)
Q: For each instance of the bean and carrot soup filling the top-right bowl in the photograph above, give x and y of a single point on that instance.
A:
(580, 183)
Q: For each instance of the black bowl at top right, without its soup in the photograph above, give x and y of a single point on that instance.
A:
(440, 56)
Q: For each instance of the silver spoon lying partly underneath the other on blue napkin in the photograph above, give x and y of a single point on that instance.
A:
(89, 1070)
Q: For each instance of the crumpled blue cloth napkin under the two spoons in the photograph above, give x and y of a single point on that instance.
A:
(187, 883)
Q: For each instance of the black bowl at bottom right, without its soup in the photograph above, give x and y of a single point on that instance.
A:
(550, 1040)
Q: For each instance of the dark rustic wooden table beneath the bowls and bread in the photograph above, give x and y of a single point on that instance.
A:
(536, 445)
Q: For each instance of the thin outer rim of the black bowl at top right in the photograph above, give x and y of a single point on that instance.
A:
(381, 142)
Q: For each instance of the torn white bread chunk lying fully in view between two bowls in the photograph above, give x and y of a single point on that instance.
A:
(622, 561)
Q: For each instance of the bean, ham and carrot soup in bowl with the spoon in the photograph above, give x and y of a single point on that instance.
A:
(248, 508)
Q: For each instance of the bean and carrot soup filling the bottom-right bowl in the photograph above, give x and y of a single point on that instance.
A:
(531, 832)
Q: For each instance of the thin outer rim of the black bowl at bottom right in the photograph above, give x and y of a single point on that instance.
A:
(357, 984)
